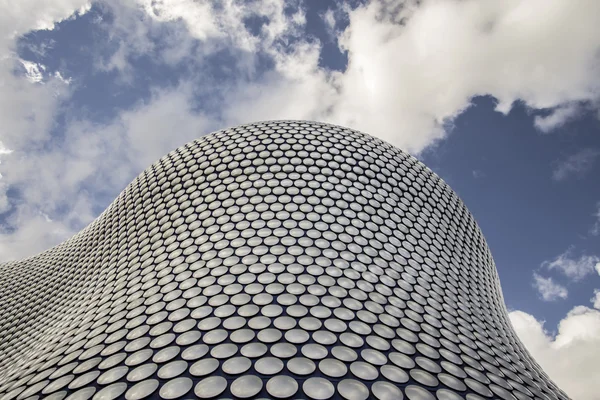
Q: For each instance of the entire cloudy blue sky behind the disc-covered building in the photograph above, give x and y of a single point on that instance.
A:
(501, 99)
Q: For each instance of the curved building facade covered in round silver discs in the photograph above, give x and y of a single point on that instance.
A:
(277, 259)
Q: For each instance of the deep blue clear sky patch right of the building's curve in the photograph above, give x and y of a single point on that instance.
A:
(504, 169)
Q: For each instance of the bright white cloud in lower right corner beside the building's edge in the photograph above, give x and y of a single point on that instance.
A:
(570, 357)
